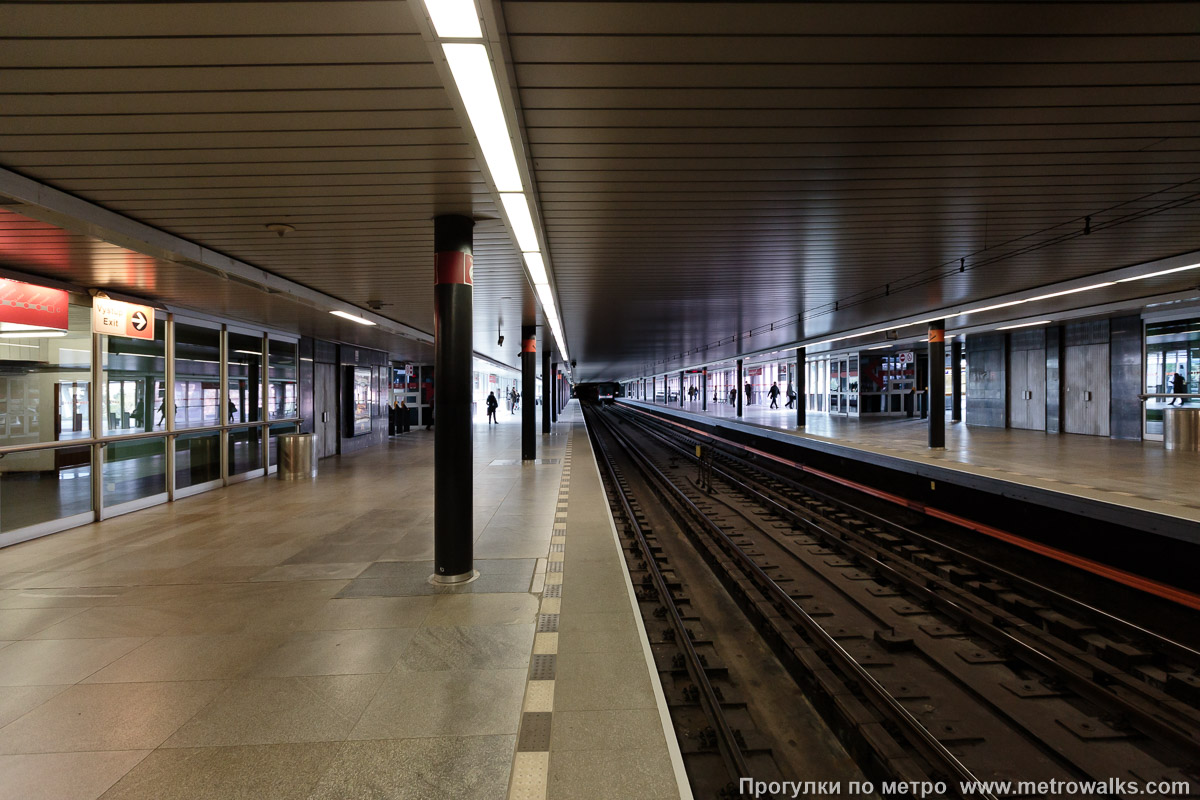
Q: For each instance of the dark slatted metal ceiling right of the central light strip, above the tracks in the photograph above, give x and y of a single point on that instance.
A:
(723, 178)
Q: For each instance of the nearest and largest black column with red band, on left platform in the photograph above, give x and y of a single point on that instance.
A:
(453, 299)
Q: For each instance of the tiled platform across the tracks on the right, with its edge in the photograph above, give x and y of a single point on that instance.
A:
(1097, 473)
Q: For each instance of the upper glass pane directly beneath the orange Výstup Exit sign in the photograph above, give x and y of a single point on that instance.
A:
(135, 383)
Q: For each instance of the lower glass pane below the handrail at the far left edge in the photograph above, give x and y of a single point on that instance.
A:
(45, 485)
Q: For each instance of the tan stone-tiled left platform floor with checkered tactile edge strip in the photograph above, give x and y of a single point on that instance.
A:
(280, 640)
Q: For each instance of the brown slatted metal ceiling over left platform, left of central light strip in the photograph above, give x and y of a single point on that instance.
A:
(211, 121)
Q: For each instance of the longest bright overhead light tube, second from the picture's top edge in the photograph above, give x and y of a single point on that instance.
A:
(472, 73)
